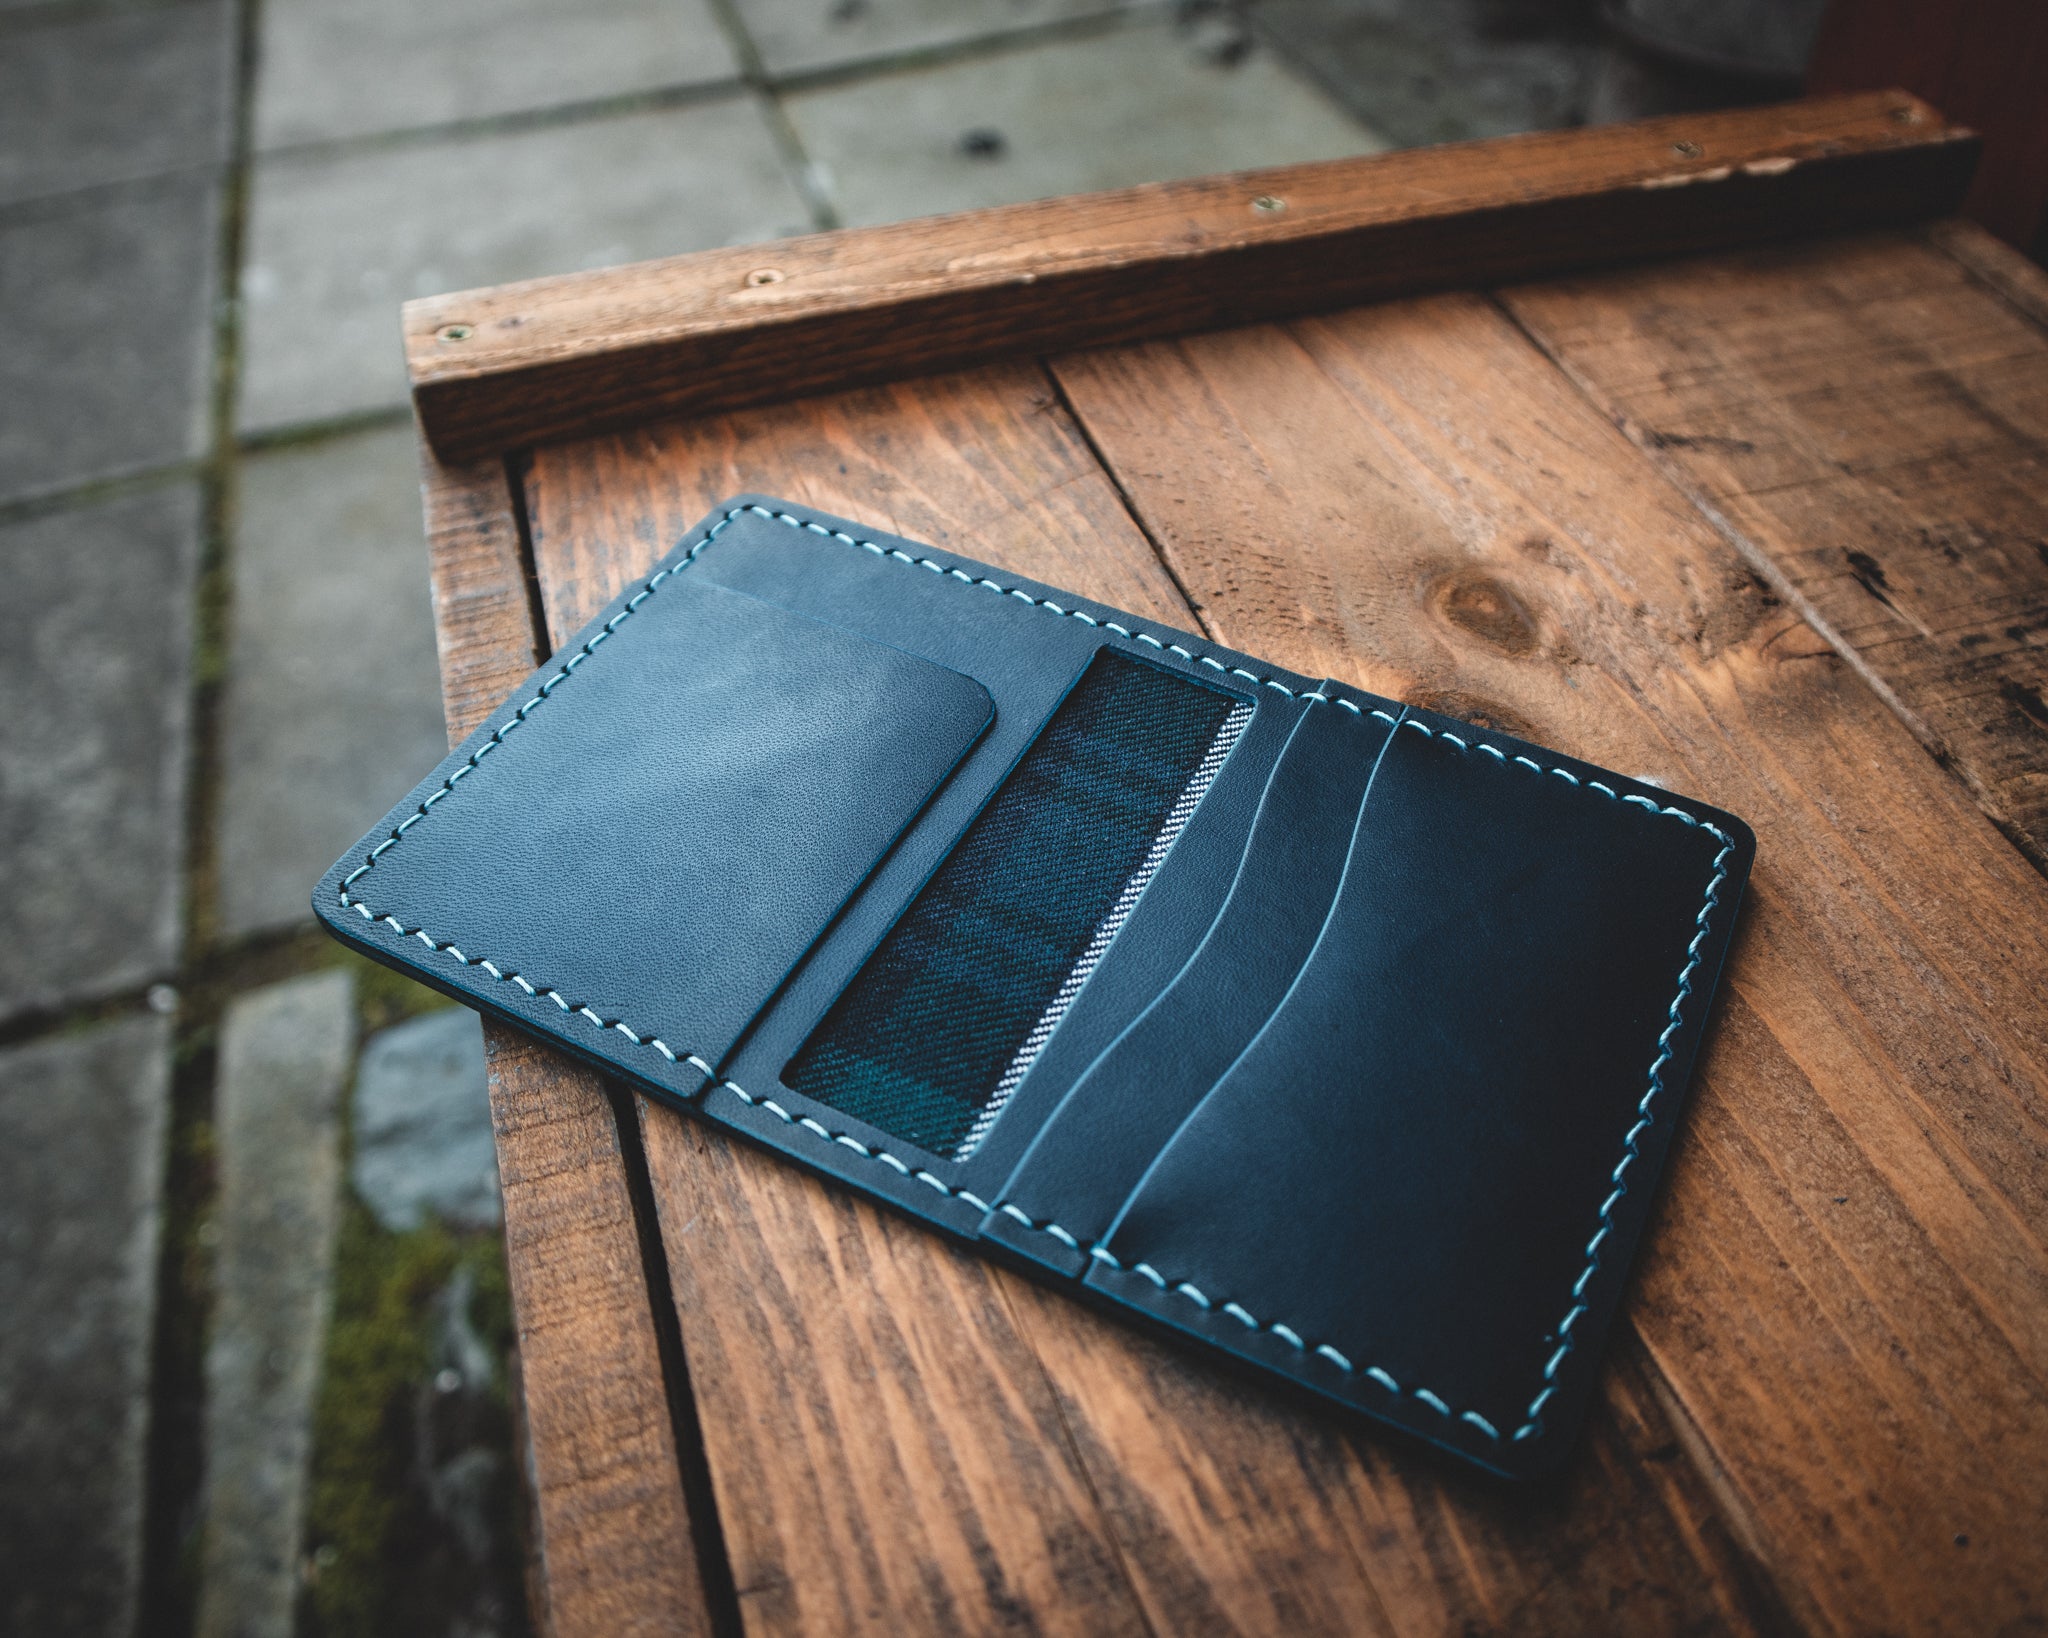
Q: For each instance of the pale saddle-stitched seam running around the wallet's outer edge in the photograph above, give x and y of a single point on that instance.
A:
(1097, 1252)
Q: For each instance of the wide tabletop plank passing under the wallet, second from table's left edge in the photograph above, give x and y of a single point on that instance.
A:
(912, 1440)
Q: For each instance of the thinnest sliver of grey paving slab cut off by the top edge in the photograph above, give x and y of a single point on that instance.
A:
(796, 36)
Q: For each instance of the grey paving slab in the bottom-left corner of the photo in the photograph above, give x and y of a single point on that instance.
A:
(83, 1121)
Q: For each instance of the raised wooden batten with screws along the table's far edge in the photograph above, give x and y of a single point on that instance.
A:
(562, 357)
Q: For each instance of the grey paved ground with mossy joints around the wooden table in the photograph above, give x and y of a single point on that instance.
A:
(255, 1342)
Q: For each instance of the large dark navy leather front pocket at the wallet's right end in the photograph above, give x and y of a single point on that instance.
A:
(1465, 1092)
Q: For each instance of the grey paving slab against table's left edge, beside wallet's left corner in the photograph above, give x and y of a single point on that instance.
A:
(333, 705)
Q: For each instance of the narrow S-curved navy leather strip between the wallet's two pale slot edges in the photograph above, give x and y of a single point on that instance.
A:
(1121, 1113)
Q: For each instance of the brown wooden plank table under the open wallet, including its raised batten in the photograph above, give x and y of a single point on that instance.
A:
(1705, 449)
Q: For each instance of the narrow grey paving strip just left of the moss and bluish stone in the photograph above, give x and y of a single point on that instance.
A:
(278, 1129)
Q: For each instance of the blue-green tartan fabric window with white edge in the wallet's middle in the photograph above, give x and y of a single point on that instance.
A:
(953, 1006)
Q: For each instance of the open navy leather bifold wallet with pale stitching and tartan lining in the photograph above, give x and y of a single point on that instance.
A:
(1332, 1035)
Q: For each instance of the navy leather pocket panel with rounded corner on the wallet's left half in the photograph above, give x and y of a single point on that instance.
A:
(660, 843)
